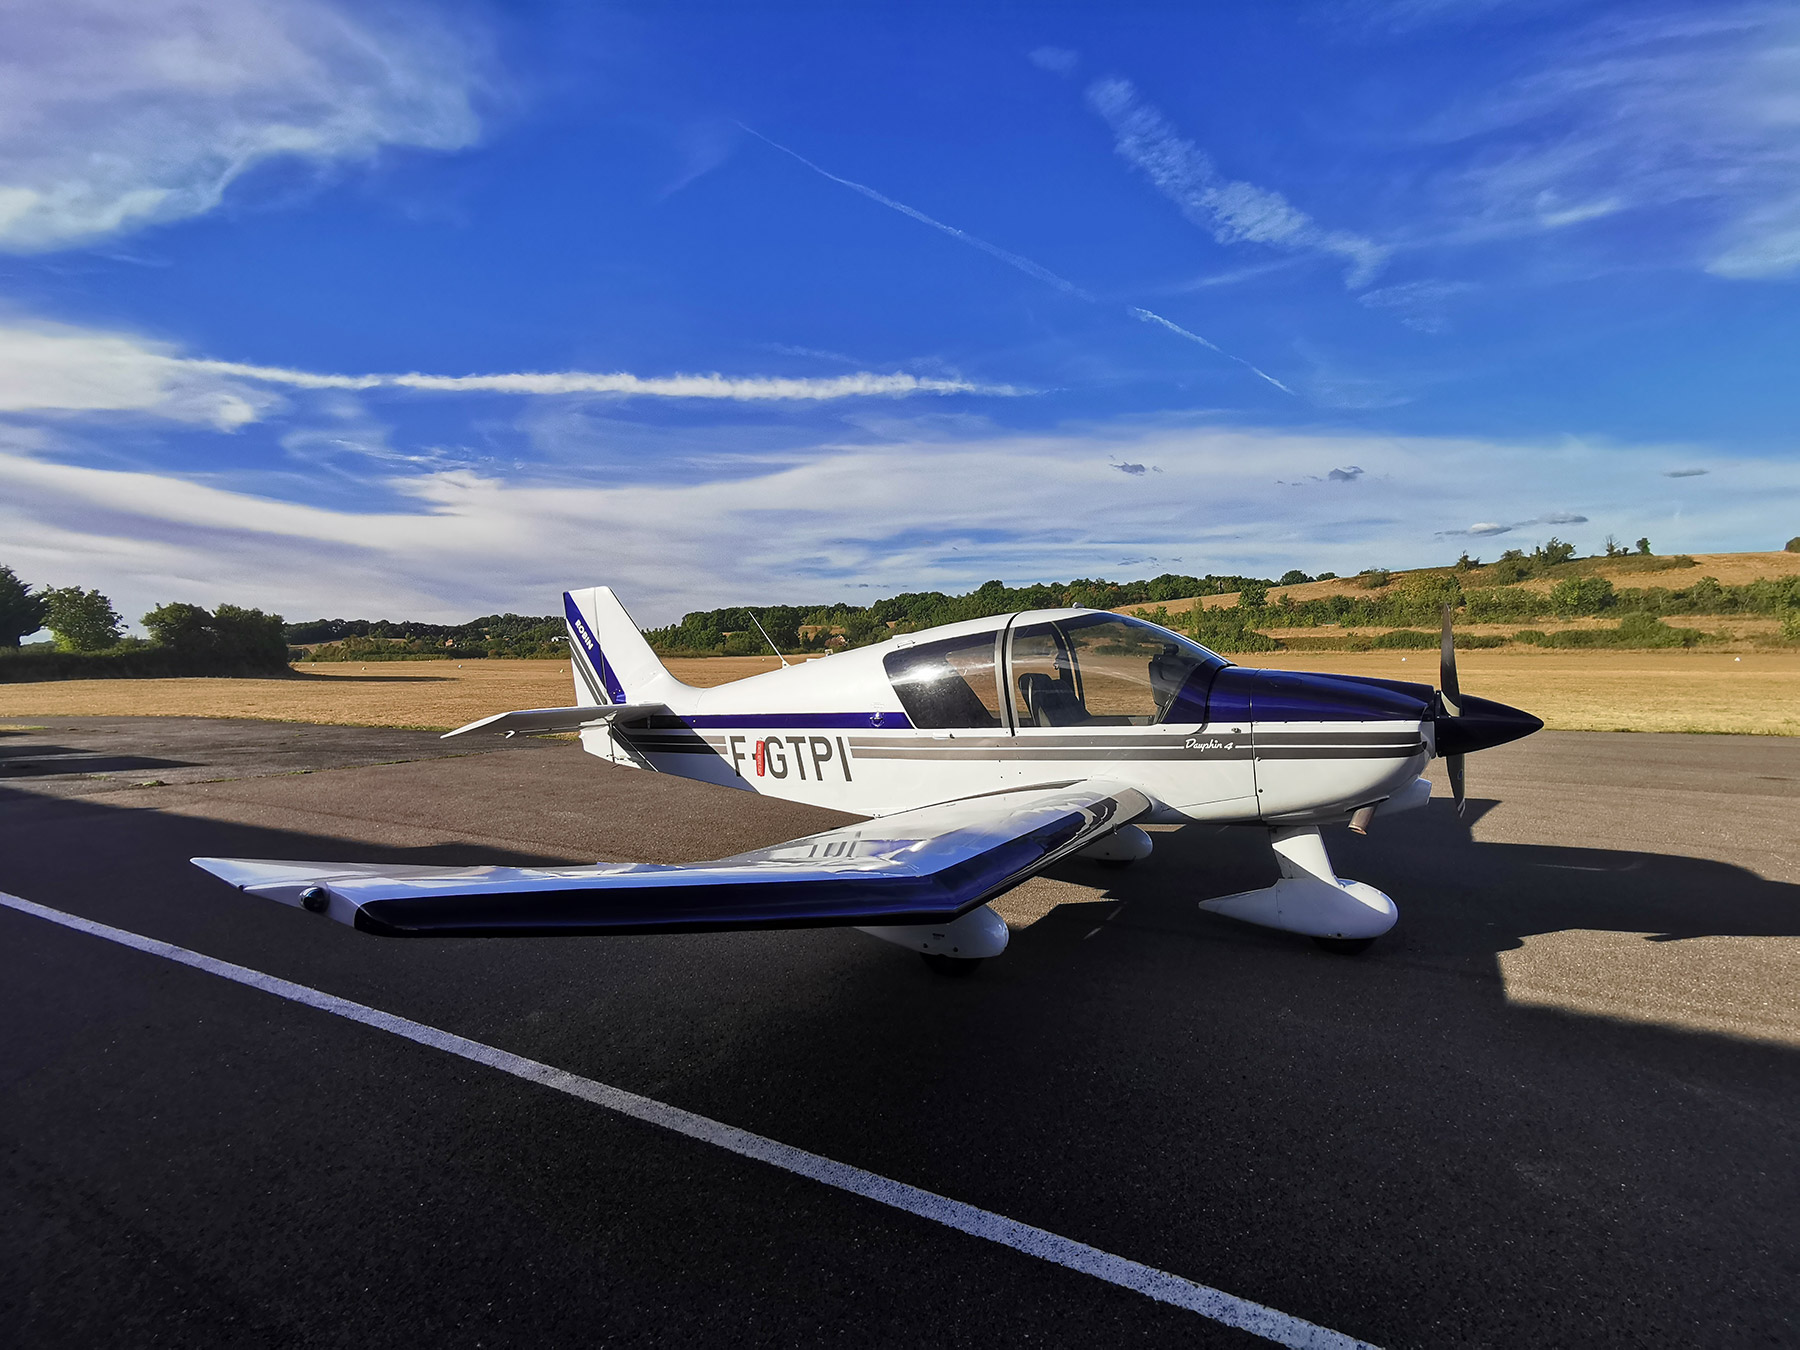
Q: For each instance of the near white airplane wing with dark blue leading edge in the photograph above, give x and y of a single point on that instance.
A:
(919, 867)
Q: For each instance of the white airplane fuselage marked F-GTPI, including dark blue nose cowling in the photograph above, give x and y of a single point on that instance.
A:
(1036, 699)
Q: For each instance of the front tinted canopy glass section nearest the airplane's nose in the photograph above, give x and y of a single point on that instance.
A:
(1108, 670)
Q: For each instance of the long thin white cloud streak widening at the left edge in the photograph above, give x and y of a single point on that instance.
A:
(48, 368)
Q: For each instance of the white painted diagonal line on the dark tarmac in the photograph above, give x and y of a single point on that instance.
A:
(1147, 1281)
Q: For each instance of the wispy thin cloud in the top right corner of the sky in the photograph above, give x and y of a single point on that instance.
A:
(1651, 112)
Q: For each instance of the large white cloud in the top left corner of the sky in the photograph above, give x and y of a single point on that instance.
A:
(120, 114)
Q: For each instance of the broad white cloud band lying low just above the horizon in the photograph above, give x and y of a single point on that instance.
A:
(903, 516)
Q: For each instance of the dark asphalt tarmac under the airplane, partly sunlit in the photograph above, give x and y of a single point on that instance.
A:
(1556, 1106)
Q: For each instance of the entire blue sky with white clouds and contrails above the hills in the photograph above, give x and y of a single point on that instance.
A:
(435, 310)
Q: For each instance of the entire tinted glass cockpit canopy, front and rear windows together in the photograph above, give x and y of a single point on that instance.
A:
(1084, 670)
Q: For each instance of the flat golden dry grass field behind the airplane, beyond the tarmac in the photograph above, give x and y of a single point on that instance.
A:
(1750, 692)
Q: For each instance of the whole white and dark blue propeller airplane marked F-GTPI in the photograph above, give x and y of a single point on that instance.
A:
(982, 751)
